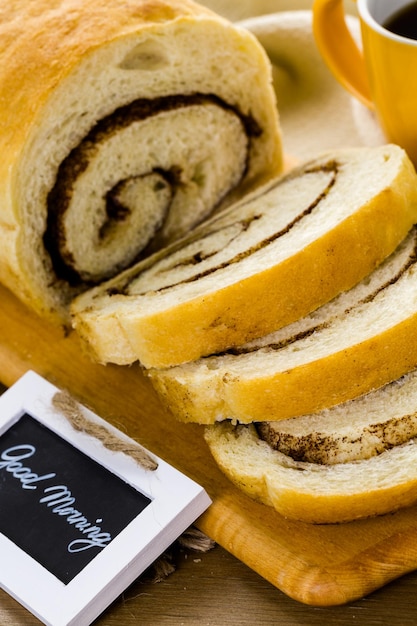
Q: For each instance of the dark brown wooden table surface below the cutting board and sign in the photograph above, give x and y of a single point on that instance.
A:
(214, 589)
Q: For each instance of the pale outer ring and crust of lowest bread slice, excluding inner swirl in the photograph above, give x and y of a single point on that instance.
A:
(312, 492)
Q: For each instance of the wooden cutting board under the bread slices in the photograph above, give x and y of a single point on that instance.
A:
(317, 565)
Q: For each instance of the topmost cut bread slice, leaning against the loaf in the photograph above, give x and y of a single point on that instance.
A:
(257, 266)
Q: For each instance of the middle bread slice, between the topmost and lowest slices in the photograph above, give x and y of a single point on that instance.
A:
(358, 342)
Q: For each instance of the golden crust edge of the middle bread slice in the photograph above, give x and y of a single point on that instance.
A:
(308, 388)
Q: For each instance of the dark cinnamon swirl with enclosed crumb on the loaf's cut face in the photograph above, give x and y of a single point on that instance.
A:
(141, 178)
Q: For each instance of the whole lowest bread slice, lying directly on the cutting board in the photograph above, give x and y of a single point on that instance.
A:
(354, 460)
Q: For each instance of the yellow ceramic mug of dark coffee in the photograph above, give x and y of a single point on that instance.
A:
(384, 75)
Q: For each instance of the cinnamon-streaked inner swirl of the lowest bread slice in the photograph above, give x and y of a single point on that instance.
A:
(355, 430)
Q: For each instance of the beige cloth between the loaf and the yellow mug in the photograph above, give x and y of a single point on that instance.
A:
(316, 113)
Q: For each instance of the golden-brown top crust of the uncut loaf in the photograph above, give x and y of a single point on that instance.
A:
(47, 42)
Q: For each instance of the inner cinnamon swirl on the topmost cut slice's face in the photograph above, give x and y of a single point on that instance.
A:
(232, 238)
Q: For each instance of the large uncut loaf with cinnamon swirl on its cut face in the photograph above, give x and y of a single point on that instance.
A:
(123, 124)
